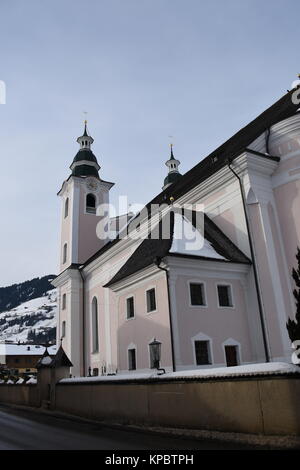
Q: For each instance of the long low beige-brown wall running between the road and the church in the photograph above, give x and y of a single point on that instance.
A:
(261, 405)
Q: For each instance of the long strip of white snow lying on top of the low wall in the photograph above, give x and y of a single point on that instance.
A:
(271, 368)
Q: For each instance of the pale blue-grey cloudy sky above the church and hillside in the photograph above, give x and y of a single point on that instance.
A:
(143, 69)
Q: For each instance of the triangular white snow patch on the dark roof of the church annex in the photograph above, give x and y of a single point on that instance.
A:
(187, 240)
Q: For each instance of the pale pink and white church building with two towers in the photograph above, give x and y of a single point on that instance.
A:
(224, 303)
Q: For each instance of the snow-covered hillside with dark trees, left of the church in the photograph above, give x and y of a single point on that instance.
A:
(32, 321)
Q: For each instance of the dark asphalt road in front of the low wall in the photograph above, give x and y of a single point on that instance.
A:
(27, 430)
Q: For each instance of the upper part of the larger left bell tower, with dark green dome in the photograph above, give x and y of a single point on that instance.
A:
(81, 195)
